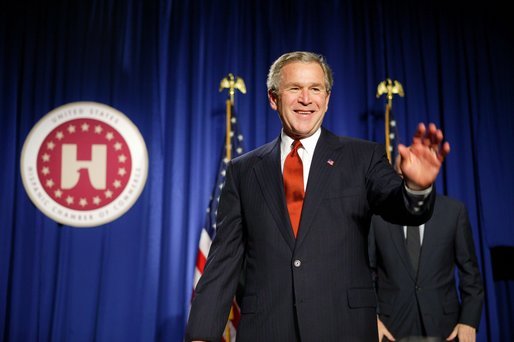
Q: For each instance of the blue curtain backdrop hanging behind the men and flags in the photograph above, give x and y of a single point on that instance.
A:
(160, 63)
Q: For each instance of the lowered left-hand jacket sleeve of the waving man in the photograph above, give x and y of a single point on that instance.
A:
(217, 286)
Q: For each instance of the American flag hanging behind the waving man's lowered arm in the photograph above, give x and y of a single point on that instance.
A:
(209, 227)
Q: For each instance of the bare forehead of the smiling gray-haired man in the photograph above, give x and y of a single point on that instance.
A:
(302, 73)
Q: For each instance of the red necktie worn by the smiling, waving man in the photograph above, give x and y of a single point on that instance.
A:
(293, 185)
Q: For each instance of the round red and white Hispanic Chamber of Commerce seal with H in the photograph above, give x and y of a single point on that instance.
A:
(84, 164)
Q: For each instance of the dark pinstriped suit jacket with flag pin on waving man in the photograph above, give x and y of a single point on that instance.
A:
(316, 287)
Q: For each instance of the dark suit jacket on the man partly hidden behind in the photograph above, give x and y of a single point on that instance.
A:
(447, 242)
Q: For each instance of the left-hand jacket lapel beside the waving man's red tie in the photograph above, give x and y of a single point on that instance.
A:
(270, 180)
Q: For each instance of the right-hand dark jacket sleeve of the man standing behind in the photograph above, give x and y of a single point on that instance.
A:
(470, 282)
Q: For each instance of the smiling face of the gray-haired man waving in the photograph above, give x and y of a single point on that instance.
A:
(301, 99)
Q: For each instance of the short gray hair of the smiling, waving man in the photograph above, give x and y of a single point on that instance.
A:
(298, 56)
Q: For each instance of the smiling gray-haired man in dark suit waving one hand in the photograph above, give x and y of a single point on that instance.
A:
(315, 286)
